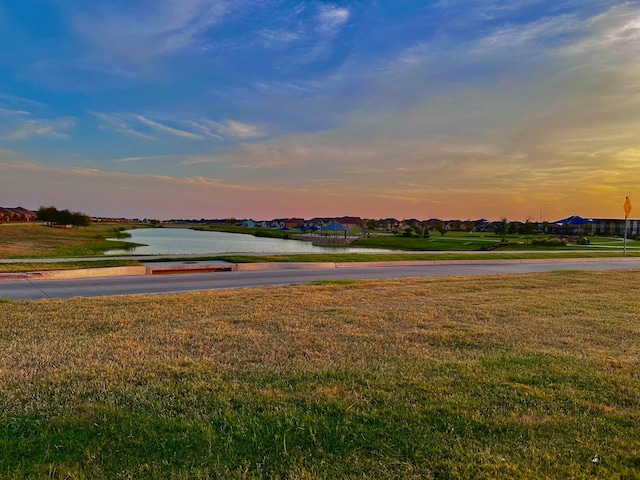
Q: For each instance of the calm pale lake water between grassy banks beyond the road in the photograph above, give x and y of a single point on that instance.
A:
(183, 241)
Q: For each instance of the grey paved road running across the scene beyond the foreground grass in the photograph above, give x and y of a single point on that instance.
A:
(30, 288)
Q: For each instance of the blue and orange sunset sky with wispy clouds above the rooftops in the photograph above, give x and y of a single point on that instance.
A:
(262, 109)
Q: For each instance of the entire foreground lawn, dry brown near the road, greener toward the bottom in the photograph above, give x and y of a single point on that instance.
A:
(528, 376)
